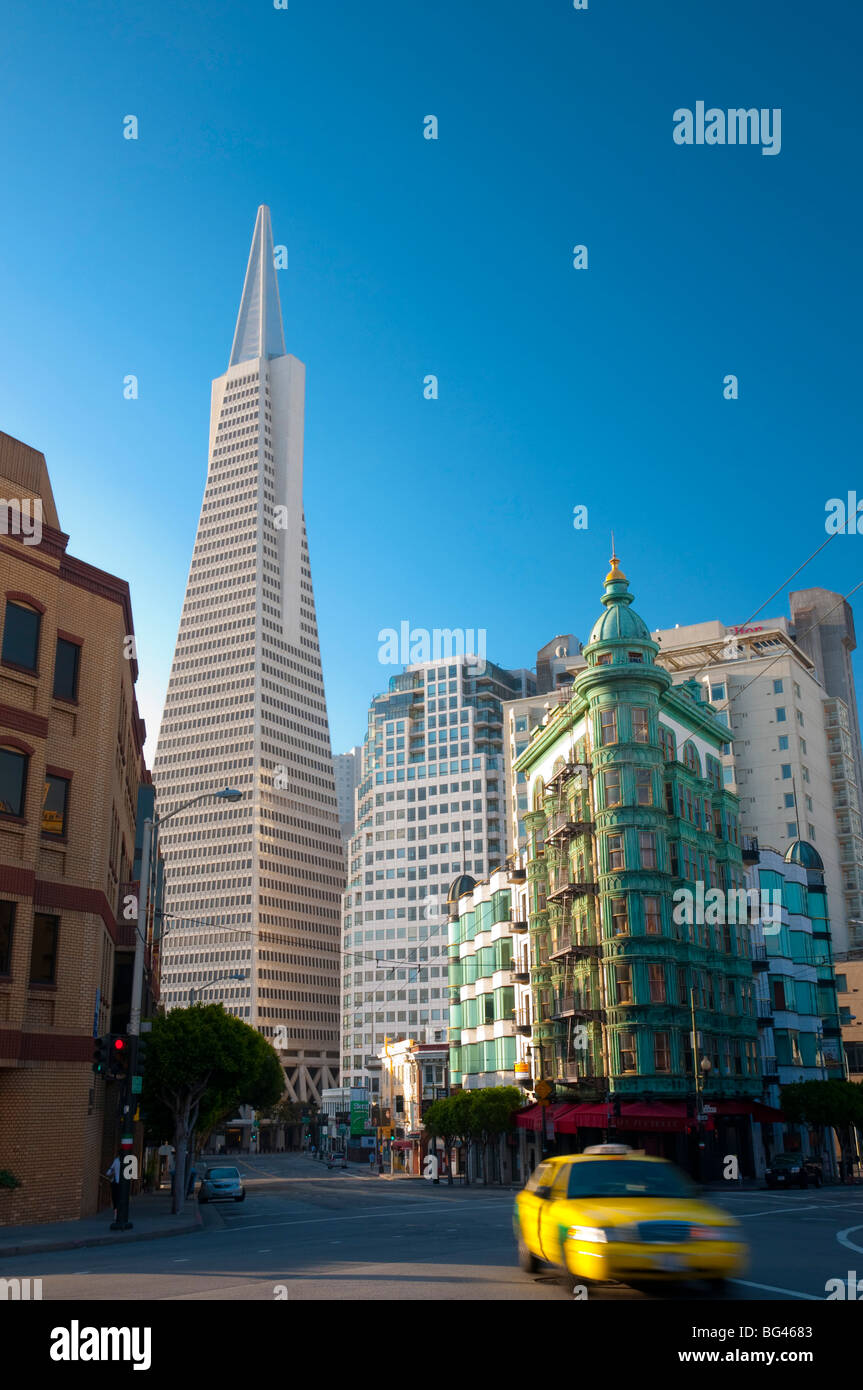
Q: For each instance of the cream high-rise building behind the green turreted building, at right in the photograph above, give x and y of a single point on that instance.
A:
(790, 755)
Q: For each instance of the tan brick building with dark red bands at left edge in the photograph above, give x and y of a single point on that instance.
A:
(72, 767)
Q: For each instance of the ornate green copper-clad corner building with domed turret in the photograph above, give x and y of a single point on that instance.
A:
(626, 807)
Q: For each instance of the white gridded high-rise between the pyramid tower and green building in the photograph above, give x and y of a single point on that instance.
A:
(430, 807)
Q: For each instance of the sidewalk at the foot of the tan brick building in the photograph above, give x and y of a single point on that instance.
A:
(151, 1216)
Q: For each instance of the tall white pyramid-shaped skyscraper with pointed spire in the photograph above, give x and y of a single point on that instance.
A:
(254, 889)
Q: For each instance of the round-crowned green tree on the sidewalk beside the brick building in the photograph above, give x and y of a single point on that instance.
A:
(202, 1065)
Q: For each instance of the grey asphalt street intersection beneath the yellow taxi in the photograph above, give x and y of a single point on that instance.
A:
(306, 1234)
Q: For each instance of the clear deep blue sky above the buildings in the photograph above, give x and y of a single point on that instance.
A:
(409, 256)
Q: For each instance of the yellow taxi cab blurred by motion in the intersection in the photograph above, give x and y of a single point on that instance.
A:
(614, 1213)
